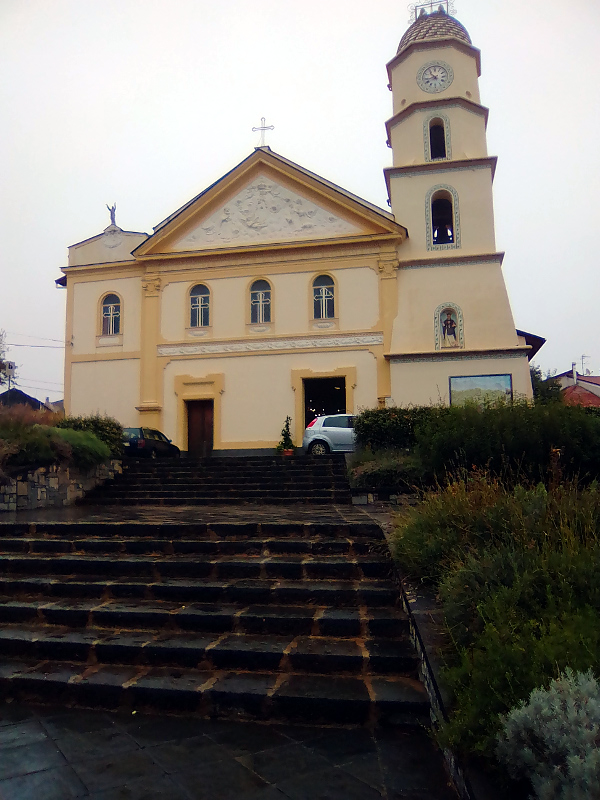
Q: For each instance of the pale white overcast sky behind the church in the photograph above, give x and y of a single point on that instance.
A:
(146, 102)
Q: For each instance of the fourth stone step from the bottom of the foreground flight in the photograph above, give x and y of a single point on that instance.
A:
(333, 593)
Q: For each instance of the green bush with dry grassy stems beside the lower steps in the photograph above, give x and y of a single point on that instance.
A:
(517, 571)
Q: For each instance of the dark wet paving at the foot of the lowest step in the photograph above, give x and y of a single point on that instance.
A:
(51, 753)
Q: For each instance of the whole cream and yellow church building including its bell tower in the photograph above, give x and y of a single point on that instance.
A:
(276, 293)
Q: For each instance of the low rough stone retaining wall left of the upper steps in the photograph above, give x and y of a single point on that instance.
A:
(52, 486)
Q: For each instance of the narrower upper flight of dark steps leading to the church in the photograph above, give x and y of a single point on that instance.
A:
(260, 479)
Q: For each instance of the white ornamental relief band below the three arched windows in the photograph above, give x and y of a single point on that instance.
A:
(316, 342)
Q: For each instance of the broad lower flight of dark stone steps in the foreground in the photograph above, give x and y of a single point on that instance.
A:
(275, 620)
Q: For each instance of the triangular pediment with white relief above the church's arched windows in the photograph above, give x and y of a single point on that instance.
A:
(263, 202)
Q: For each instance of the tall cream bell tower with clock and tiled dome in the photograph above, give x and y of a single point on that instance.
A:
(454, 319)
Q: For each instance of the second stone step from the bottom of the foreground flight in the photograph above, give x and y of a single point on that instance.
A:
(211, 651)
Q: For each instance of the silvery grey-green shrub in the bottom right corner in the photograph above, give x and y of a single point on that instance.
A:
(553, 739)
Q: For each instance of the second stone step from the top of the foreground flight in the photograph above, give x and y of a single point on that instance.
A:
(55, 545)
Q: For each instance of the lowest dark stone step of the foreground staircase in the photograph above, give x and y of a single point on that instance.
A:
(330, 699)
